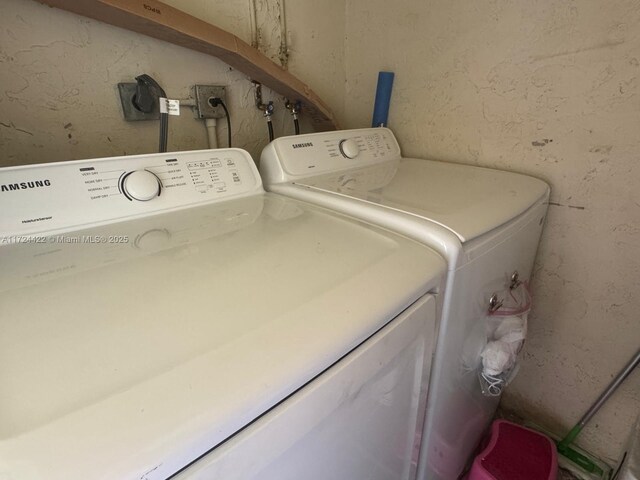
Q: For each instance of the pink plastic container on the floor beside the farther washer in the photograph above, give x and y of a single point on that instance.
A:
(515, 453)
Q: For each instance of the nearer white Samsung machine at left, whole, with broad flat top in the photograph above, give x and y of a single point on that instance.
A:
(163, 317)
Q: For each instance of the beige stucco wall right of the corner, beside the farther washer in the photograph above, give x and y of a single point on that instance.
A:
(550, 88)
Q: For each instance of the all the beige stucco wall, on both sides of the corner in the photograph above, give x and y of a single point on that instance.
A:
(548, 88)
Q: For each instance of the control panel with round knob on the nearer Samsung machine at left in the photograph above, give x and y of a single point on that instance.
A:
(58, 196)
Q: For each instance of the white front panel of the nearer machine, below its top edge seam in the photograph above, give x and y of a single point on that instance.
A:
(361, 418)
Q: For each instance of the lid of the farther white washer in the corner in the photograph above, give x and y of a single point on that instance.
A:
(467, 200)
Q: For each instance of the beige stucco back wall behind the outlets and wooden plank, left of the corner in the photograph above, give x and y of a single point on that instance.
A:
(59, 75)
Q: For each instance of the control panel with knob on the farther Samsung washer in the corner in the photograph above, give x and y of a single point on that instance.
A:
(290, 158)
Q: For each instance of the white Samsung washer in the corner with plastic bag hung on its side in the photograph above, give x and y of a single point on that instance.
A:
(486, 223)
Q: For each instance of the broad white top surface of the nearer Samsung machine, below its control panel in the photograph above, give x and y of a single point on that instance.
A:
(129, 349)
